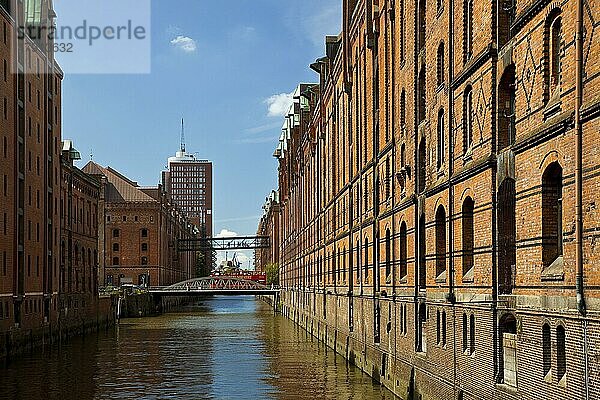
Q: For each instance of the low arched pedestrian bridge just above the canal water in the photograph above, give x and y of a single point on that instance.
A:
(215, 285)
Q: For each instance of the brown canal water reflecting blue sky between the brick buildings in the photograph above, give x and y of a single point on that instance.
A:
(220, 348)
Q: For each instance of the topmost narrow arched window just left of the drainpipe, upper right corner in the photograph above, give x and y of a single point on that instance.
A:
(552, 44)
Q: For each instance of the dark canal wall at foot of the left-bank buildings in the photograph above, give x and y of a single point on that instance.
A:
(101, 314)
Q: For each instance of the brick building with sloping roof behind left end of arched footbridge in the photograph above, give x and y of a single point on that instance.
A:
(140, 229)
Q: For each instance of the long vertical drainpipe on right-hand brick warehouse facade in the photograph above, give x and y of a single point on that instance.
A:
(579, 188)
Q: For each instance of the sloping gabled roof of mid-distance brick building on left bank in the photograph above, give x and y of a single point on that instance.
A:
(119, 189)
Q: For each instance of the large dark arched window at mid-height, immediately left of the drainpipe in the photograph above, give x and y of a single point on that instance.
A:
(552, 246)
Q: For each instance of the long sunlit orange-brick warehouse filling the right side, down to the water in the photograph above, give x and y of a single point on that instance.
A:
(438, 197)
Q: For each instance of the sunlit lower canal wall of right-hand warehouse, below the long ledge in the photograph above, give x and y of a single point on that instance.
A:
(452, 363)
